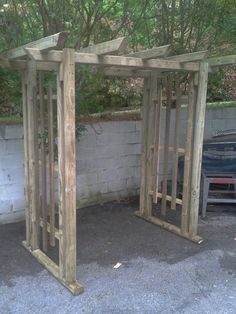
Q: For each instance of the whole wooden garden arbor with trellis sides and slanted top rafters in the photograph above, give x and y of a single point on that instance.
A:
(156, 66)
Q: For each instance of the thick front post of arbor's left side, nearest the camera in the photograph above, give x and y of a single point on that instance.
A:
(67, 167)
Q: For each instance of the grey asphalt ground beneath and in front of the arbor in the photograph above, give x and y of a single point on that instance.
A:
(160, 272)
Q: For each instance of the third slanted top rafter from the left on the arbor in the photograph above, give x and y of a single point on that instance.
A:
(155, 52)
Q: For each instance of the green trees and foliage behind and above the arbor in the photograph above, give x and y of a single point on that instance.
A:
(188, 25)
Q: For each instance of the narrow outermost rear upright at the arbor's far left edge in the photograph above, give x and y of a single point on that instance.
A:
(26, 156)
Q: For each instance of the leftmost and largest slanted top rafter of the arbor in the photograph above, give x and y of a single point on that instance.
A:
(56, 41)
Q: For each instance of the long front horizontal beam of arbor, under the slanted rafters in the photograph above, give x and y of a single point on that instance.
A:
(108, 60)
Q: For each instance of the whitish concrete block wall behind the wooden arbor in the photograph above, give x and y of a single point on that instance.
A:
(108, 160)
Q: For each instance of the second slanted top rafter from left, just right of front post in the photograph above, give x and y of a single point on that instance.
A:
(116, 46)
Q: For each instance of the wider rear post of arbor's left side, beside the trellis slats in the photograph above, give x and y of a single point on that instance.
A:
(33, 154)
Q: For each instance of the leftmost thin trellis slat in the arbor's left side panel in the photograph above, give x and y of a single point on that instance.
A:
(43, 185)
